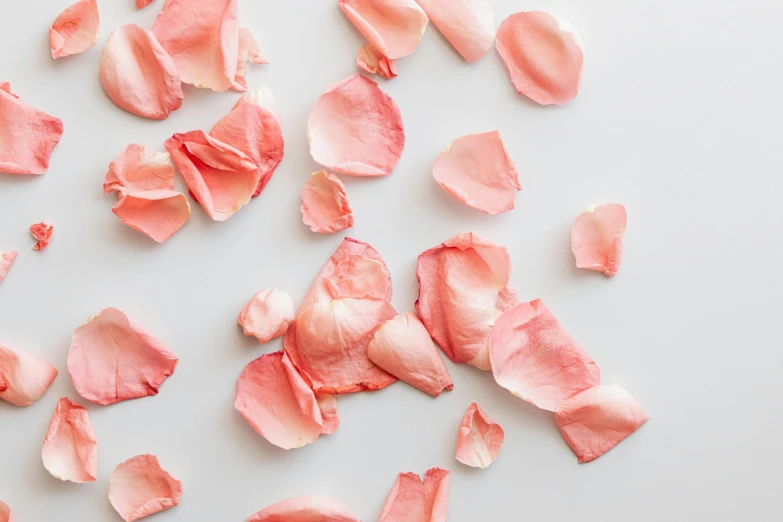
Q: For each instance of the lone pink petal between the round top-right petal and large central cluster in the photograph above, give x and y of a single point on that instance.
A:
(477, 170)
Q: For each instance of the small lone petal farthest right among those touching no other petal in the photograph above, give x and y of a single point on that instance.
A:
(597, 238)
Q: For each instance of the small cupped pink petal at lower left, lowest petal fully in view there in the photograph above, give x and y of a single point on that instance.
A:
(140, 487)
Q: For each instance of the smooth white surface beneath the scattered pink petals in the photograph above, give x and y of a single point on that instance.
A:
(678, 118)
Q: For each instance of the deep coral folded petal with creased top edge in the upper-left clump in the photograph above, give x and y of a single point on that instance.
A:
(221, 178)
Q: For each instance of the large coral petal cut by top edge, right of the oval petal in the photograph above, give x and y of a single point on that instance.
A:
(203, 39)
